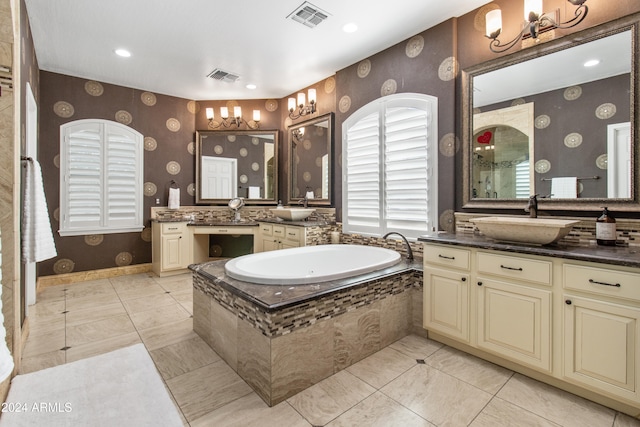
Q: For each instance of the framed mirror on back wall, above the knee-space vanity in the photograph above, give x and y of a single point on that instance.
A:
(239, 163)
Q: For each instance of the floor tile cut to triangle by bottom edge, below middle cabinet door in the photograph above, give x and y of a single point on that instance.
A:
(500, 413)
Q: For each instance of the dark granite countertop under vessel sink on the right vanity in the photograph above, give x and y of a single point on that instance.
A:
(628, 256)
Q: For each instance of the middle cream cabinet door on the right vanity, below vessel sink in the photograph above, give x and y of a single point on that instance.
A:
(515, 322)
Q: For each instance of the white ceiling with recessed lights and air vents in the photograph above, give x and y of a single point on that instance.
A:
(176, 43)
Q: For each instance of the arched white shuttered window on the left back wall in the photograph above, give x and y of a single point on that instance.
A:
(101, 178)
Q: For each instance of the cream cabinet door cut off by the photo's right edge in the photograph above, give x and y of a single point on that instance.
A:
(601, 346)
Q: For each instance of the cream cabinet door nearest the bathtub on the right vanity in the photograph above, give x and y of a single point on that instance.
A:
(446, 302)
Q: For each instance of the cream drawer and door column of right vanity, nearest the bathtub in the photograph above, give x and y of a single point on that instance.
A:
(446, 291)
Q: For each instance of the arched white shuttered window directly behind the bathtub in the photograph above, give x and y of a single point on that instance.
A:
(390, 167)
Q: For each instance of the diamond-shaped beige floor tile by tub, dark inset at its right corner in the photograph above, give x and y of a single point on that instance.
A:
(382, 367)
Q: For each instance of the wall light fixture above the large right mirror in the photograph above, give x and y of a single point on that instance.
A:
(535, 22)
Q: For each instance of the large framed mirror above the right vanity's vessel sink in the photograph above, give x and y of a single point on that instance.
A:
(540, 121)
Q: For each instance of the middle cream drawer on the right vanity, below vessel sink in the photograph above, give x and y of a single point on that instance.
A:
(512, 267)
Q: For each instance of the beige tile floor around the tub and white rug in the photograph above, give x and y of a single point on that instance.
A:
(413, 382)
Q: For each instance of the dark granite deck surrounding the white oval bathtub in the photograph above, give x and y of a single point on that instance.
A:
(276, 297)
